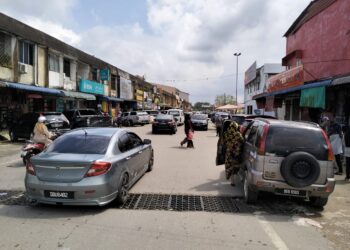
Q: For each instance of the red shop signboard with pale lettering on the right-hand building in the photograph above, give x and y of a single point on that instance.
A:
(287, 79)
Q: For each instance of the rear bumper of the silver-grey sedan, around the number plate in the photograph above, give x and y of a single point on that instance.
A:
(100, 193)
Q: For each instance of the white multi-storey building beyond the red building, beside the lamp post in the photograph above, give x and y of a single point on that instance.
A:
(255, 82)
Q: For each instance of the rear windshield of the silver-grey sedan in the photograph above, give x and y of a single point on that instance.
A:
(80, 144)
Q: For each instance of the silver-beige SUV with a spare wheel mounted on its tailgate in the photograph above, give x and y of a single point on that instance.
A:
(287, 158)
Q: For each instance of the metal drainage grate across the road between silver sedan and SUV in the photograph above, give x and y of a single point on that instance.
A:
(174, 202)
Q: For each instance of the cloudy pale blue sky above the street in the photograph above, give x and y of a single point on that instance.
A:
(188, 44)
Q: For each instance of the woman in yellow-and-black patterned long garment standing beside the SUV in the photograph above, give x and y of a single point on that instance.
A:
(234, 142)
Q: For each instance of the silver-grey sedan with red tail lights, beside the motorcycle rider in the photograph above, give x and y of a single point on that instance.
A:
(88, 166)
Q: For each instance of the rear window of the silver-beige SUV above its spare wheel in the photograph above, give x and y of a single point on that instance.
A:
(284, 140)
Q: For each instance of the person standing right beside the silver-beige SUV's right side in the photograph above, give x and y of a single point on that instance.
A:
(335, 135)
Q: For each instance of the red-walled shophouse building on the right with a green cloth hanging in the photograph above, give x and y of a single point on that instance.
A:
(317, 79)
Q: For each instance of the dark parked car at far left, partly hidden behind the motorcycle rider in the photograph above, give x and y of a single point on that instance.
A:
(23, 127)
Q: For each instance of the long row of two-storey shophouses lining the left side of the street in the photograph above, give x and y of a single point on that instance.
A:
(41, 73)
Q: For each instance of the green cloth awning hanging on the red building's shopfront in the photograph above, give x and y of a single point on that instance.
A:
(313, 97)
